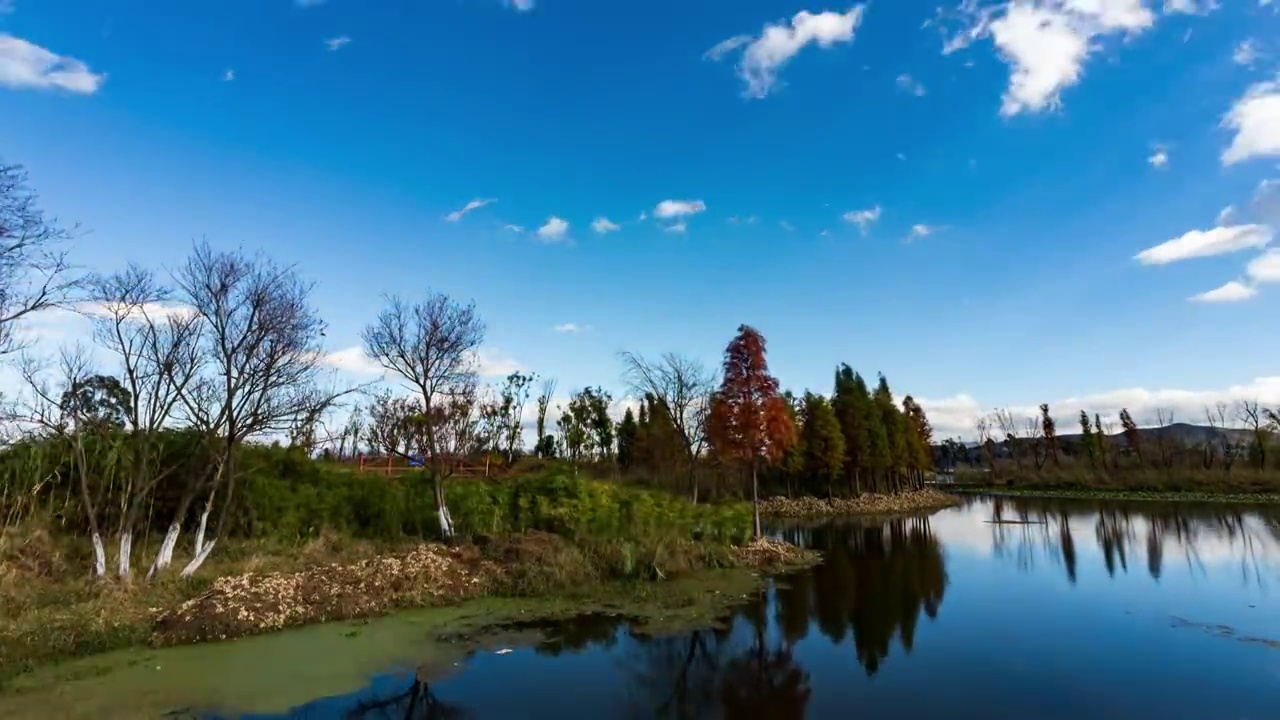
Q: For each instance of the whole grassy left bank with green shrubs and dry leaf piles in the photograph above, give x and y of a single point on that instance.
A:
(541, 537)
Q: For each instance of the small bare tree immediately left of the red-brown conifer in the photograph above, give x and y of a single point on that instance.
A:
(683, 389)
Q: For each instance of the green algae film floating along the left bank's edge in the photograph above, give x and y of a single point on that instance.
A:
(276, 672)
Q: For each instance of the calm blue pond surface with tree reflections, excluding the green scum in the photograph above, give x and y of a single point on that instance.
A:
(1000, 609)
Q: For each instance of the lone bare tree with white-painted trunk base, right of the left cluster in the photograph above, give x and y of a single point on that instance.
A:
(432, 347)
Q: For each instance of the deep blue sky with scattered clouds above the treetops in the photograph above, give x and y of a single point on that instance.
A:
(1036, 151)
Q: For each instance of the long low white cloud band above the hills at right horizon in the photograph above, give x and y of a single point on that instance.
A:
(957, 416)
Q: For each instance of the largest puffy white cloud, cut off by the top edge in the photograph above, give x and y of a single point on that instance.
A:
(1046, 44)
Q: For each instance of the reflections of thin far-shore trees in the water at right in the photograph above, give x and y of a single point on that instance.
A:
(1026, 528)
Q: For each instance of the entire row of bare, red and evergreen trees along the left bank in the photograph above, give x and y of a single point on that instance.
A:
(228, 349)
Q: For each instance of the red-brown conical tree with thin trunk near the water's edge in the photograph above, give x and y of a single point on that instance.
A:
(749, 421)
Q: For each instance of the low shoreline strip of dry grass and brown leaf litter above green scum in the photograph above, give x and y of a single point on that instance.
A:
(537, 569)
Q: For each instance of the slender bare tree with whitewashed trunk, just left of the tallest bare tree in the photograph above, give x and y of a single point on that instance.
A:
(158, 349)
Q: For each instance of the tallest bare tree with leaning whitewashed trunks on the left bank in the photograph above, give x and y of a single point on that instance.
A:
(262, 339)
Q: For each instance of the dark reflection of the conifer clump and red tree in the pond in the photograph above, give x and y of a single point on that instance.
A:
(875, 584)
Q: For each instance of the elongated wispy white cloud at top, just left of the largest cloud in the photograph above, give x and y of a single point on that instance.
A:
(765, 57)
